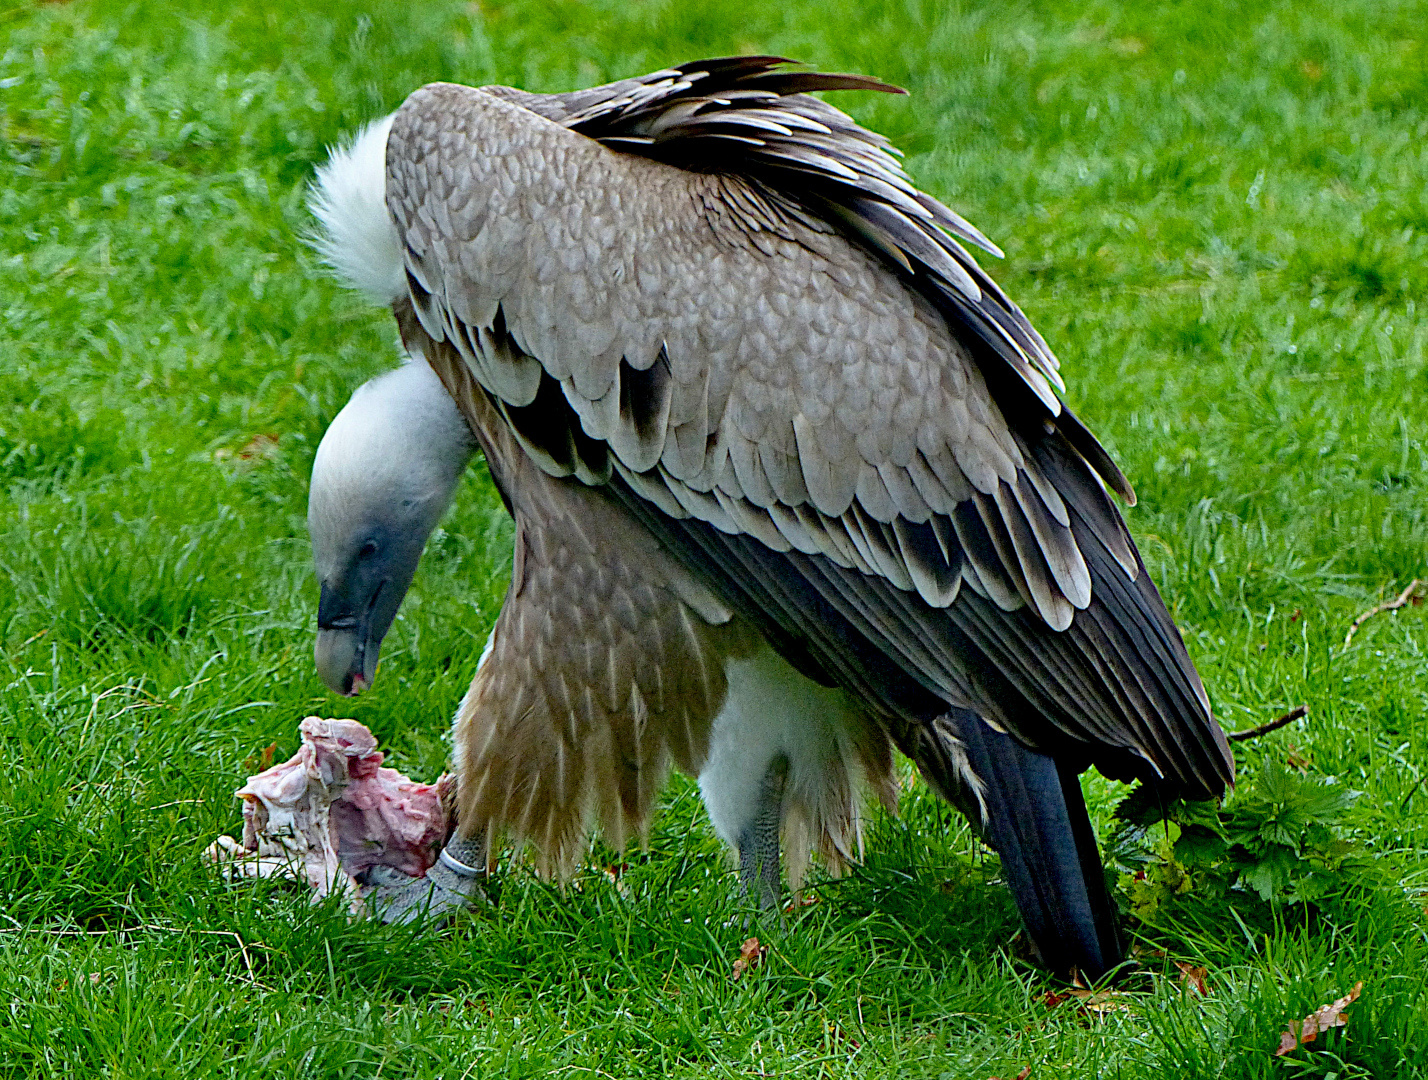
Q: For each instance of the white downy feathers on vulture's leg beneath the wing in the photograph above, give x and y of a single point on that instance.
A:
(772, 711)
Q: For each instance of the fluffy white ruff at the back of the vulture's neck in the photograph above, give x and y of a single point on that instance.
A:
(349, 199)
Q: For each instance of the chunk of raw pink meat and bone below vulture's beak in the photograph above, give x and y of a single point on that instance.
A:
(333, 814)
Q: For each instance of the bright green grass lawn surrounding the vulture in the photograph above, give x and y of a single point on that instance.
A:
(1216, 214)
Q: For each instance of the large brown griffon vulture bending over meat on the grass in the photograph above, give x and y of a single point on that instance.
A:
(792, 479)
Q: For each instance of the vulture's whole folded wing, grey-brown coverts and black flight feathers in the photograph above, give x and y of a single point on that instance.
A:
(725, 299)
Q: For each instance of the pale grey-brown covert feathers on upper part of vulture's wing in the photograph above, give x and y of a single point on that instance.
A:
(803, 368)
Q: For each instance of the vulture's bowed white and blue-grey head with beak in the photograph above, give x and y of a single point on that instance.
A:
(385, 474)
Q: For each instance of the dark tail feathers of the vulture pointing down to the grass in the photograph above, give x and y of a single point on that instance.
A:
(1036, 819)
